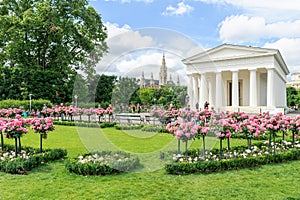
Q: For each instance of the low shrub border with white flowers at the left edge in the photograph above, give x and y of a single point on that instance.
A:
(29, 159)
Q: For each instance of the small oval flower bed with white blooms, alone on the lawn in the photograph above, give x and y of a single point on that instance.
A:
(103, 163)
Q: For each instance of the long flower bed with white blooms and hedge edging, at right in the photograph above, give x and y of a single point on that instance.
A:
(236, 158)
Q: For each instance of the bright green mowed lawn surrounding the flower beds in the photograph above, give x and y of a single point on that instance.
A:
(53, 181)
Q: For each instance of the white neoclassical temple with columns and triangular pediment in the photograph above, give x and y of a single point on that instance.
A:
(233, 77)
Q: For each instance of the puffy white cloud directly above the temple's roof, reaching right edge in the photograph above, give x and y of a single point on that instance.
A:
(241, 29)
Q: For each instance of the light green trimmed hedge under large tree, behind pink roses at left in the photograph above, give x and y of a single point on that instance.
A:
(35, 104)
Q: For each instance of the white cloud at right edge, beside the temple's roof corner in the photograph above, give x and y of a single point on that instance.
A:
(289, 49)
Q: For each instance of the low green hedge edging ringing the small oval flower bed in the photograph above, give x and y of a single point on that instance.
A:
(111, 167)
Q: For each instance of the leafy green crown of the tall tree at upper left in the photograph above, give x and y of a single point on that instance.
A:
(49, 35)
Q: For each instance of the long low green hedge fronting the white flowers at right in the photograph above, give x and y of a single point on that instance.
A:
(231, 164)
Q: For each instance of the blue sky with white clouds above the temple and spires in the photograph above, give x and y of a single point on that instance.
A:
(141, 31)
